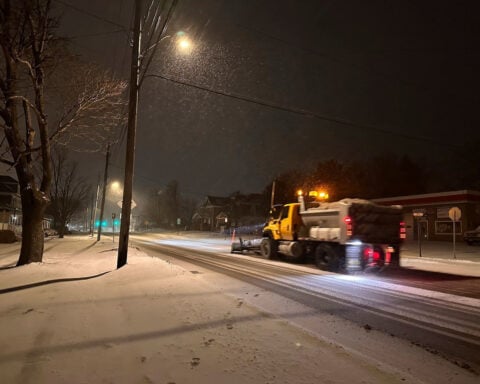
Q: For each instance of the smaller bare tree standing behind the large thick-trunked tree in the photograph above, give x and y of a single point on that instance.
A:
(70, 193)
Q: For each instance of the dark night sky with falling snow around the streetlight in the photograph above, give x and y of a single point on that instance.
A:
(308, 81)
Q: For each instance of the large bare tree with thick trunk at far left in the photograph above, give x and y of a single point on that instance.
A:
(29, 49)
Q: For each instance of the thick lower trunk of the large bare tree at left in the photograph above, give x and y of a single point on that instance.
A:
(33, 205)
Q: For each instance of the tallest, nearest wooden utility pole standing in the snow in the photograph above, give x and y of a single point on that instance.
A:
(131, 132)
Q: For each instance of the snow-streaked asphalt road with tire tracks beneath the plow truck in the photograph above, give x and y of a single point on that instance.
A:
(442, 324)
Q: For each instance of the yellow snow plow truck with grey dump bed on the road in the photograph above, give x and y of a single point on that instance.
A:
(343, 236)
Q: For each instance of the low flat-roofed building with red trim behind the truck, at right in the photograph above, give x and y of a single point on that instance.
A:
(427, 216)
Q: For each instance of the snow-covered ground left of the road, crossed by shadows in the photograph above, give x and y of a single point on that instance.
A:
(75, 318)
